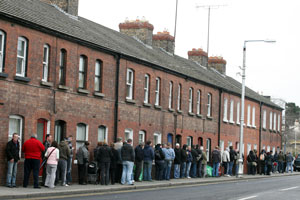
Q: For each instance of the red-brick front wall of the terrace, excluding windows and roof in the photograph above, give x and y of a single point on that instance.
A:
(34, 100)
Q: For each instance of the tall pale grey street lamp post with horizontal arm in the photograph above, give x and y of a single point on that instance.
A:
(240, 159)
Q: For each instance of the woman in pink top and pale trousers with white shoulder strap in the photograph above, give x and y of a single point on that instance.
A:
(52, 154)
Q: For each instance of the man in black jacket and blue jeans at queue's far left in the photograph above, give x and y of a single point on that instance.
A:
(12, 154)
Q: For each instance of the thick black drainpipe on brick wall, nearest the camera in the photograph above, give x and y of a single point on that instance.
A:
(116, 110)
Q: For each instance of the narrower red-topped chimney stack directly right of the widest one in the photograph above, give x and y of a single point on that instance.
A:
(164, 40)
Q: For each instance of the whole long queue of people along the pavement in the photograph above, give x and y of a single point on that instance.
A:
(121, 163)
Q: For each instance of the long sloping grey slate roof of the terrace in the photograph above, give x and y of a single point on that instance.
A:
(51, 18)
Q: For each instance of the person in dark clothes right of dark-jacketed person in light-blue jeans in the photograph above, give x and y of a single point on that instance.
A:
(139, 158)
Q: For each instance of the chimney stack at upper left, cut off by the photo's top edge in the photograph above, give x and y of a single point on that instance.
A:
(69, 6)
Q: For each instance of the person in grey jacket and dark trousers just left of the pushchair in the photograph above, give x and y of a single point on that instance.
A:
(83, 156)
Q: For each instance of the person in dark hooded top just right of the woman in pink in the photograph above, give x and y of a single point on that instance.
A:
(64, 155)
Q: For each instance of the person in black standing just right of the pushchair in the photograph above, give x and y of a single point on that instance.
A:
(104, 157)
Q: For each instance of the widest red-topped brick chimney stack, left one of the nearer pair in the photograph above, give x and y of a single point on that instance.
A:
(141, 29)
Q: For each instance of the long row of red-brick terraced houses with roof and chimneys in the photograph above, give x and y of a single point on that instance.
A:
(63, 75)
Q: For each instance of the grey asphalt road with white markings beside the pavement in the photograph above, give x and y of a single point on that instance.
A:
(287, 188)
